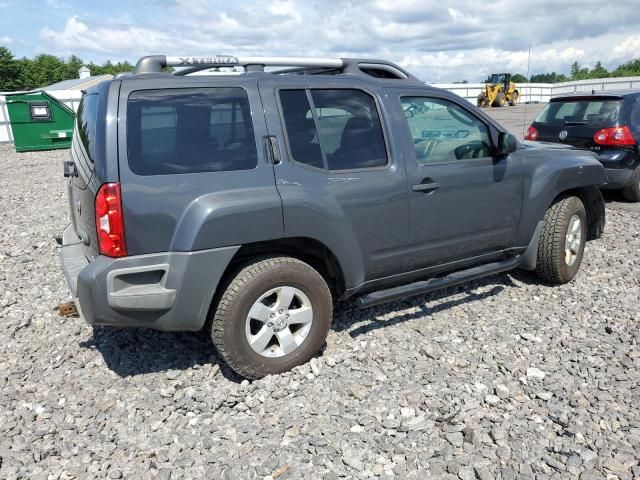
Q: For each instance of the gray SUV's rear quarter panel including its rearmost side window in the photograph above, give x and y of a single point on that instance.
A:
(194, 164)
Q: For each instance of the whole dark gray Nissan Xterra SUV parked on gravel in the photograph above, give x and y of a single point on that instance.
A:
(250, 201)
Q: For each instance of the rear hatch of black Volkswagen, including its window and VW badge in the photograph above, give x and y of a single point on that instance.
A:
(575, 120)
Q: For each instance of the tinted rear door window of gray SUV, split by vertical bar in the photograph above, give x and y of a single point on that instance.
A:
(334, 129)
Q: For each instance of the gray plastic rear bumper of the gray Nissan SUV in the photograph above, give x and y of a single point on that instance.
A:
(165, 291)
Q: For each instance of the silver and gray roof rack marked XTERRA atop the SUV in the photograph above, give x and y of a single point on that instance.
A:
(295, 65)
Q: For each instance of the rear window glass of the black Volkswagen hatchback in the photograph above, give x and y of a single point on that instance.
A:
(586, 112)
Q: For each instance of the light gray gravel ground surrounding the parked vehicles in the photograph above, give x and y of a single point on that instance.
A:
(500, 378)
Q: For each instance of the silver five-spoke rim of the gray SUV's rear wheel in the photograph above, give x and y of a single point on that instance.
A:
(279, 322)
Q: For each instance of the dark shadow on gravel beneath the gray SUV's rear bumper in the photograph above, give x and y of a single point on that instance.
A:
(136, 351)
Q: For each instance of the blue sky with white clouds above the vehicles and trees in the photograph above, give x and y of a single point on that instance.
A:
(436, 40)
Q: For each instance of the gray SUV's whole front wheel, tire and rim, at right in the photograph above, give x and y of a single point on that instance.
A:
(562, 241)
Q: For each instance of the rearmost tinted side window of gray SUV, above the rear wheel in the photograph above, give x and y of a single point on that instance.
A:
(190, 130)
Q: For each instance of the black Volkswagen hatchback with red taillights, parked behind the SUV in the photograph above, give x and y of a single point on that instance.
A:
(607, 123)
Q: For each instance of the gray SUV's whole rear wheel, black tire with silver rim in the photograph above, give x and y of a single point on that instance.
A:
(274, 315)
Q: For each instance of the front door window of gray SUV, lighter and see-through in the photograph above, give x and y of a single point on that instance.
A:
(442, 131)
